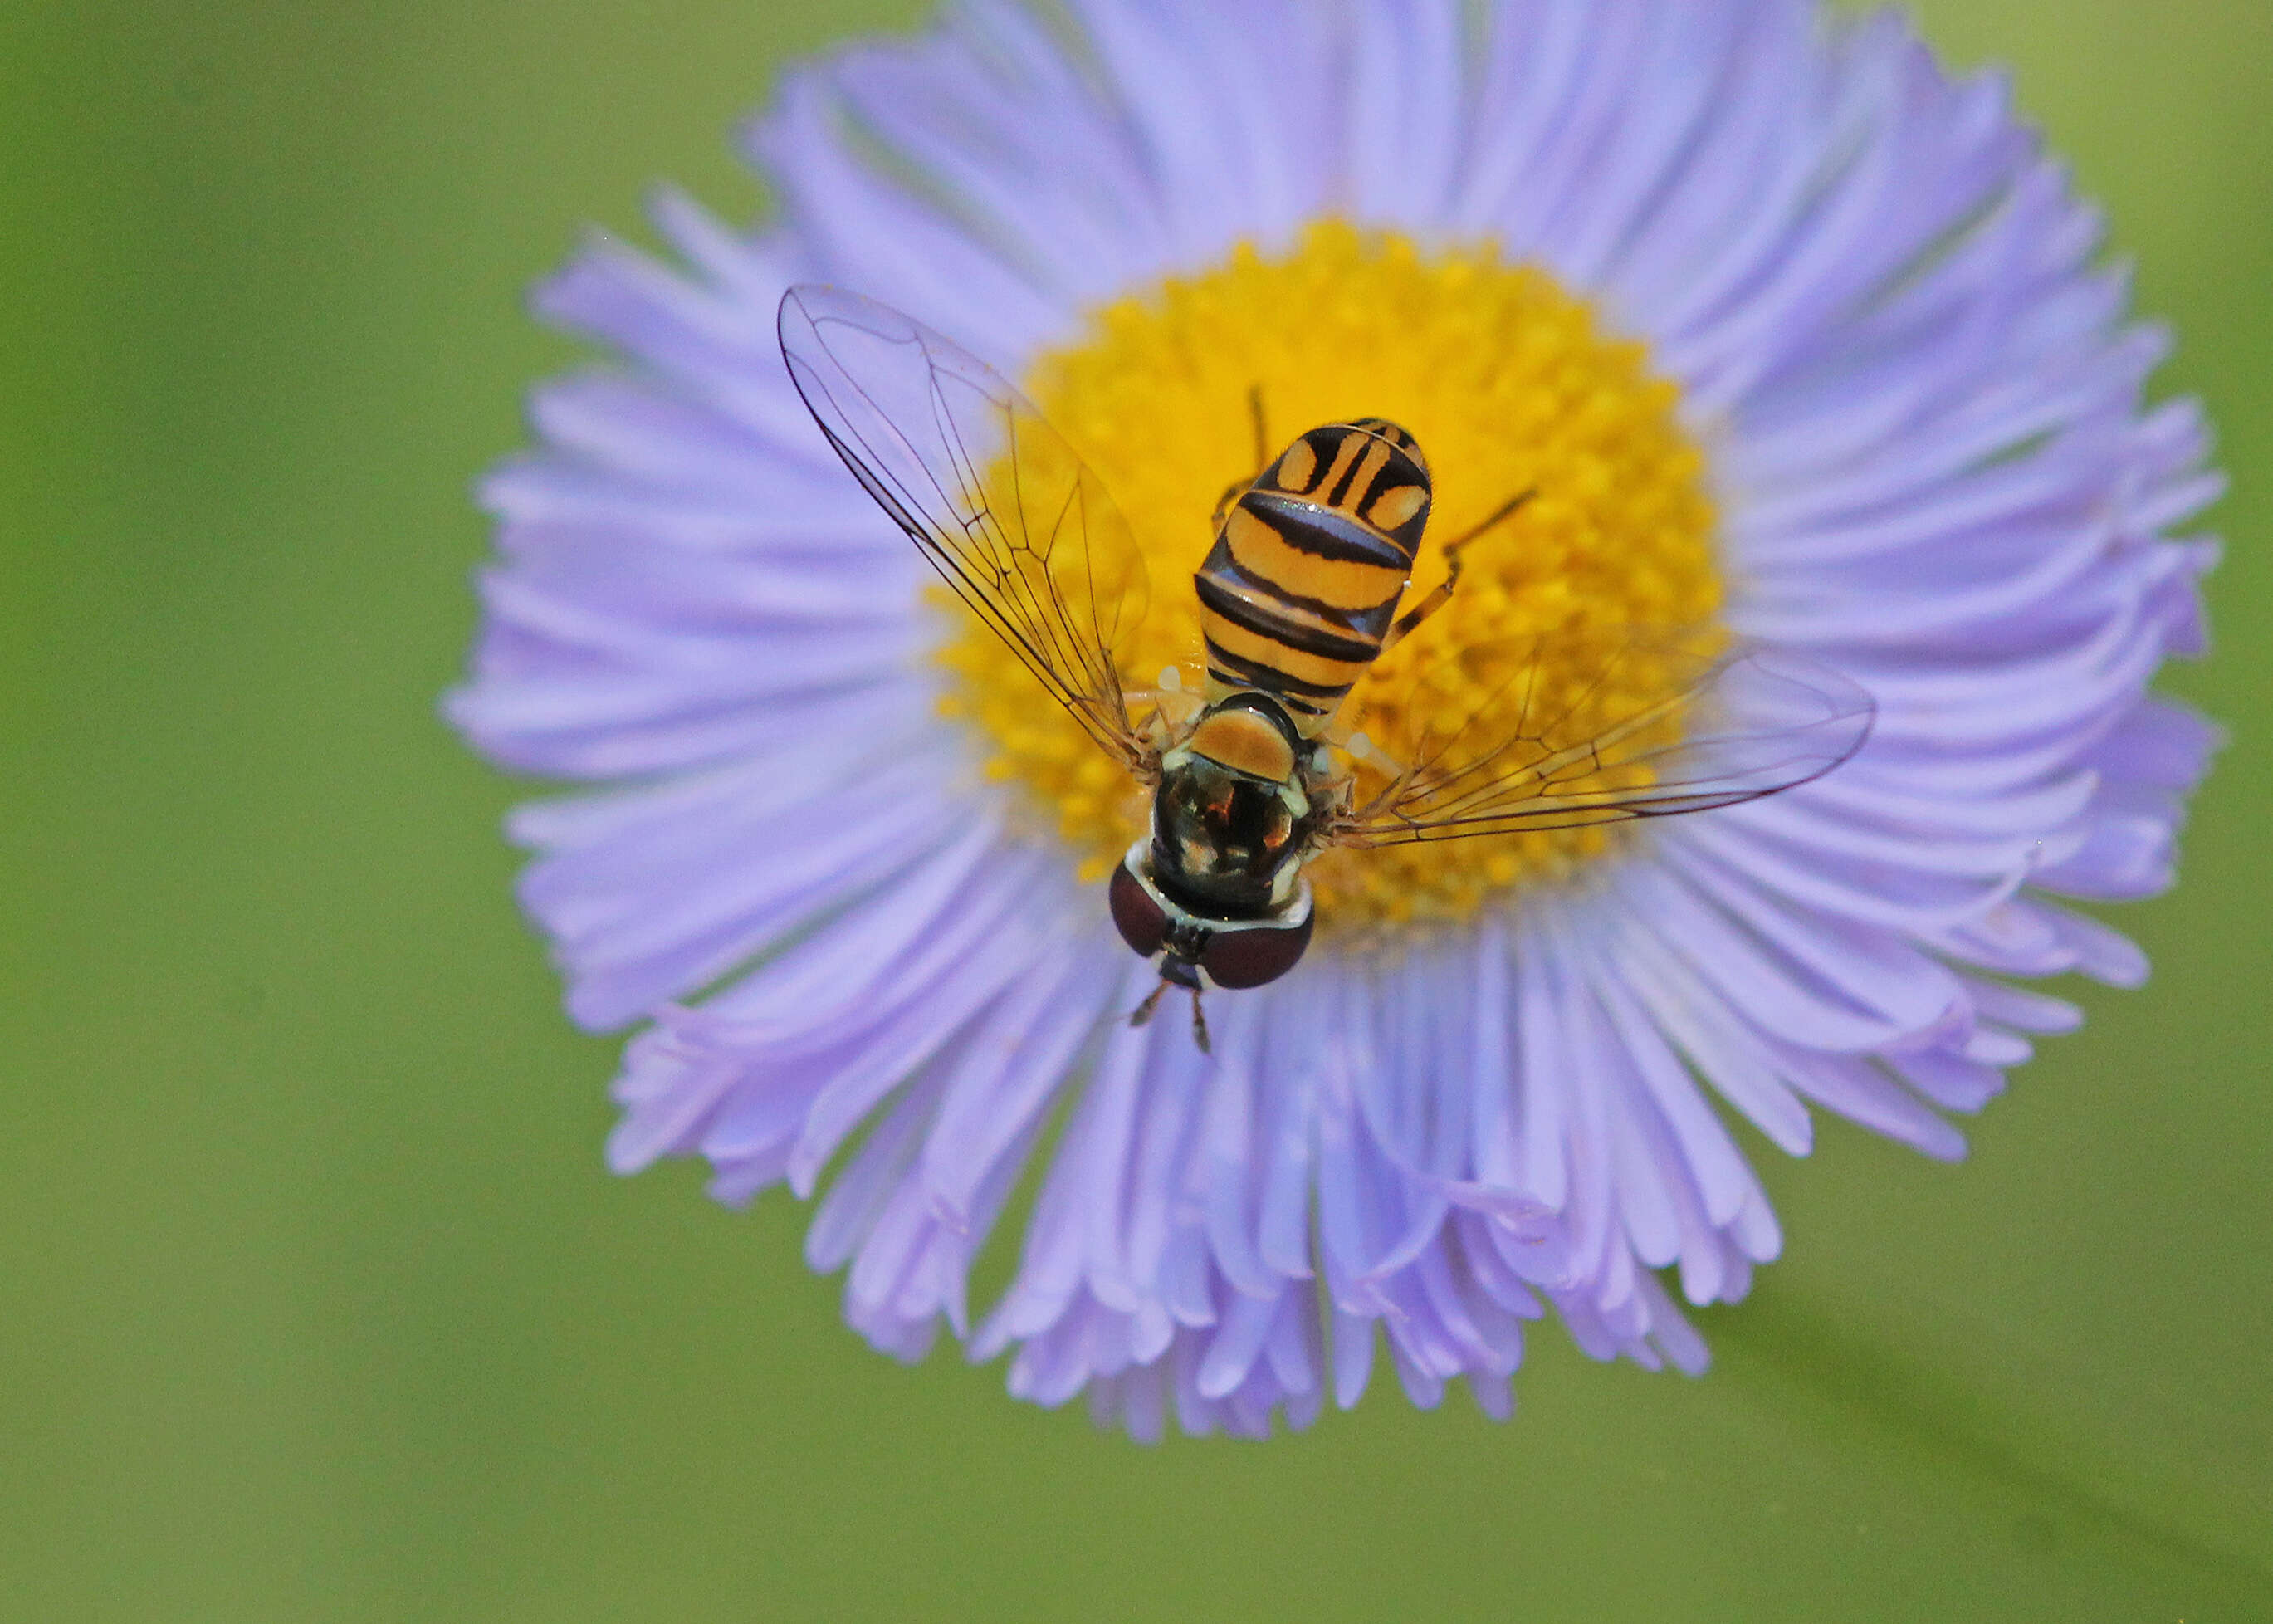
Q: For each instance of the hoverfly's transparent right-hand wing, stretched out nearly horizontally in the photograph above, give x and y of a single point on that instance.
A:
(1599, 729)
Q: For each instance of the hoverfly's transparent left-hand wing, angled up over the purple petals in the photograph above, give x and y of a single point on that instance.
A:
(985, 488)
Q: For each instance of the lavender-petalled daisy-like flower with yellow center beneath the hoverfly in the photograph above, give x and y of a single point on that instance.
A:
(1788, 329)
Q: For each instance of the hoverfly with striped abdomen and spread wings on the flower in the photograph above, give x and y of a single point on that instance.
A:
(1299, 595)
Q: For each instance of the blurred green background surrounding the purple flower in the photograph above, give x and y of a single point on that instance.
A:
(317, 1300)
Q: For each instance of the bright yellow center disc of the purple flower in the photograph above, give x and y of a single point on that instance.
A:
(1506, 381)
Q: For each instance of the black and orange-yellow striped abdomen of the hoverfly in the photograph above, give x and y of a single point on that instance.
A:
(1308, 570)
